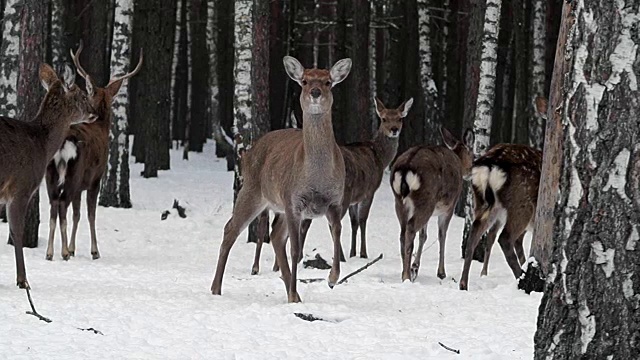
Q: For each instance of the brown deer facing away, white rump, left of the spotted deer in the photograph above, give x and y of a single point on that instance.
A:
(426, 182)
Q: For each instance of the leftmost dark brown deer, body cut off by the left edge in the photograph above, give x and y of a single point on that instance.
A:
(27, 147)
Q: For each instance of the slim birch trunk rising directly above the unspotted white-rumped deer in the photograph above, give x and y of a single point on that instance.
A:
(429, 89)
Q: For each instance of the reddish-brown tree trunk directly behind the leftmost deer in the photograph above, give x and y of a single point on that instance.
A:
(33, 27)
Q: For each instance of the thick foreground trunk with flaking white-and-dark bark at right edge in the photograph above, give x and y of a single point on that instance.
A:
(590, 308)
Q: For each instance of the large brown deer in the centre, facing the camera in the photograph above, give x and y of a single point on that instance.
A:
(296, 172)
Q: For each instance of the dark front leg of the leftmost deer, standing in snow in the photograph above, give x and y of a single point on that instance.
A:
(17, 211)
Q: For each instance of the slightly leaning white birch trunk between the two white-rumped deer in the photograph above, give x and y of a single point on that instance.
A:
(486, 97)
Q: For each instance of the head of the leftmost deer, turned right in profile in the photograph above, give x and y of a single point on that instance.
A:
(74, 99)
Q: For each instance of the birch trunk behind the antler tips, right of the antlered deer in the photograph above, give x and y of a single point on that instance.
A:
(115, 186)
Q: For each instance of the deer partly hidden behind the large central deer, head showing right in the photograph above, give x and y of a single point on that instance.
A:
(365, 163)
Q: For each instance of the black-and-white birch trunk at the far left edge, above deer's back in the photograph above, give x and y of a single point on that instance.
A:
(9, 64)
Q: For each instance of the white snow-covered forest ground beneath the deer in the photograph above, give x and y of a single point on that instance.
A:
(149, 293)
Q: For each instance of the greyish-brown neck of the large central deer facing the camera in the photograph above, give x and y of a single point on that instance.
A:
(319, 142)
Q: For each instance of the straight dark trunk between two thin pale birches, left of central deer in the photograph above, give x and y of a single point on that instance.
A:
(199, 75)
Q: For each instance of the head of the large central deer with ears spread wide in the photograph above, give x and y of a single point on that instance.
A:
(316, 97)
